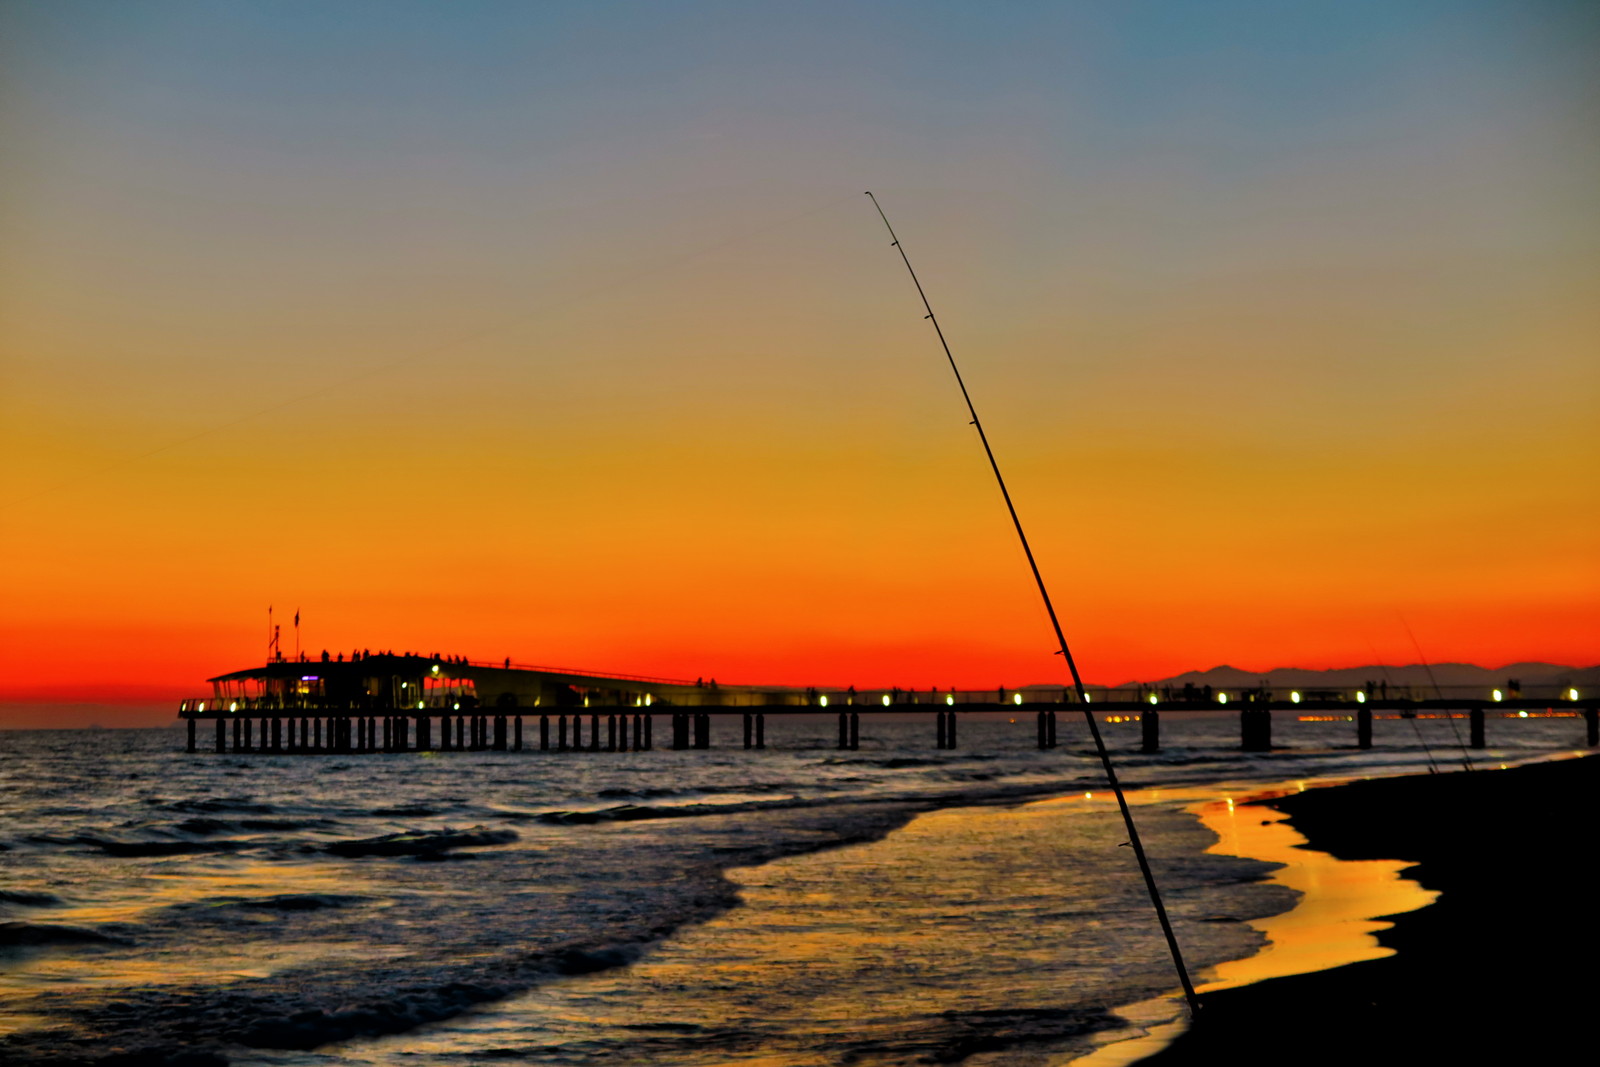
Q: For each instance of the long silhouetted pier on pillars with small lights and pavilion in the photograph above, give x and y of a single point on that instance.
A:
(402, 703)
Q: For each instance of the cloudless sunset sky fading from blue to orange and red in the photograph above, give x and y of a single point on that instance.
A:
(564, 332)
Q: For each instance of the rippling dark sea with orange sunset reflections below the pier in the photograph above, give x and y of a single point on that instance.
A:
(793, 906)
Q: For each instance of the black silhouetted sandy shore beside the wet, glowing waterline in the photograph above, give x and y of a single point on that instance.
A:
(1505, 969)
